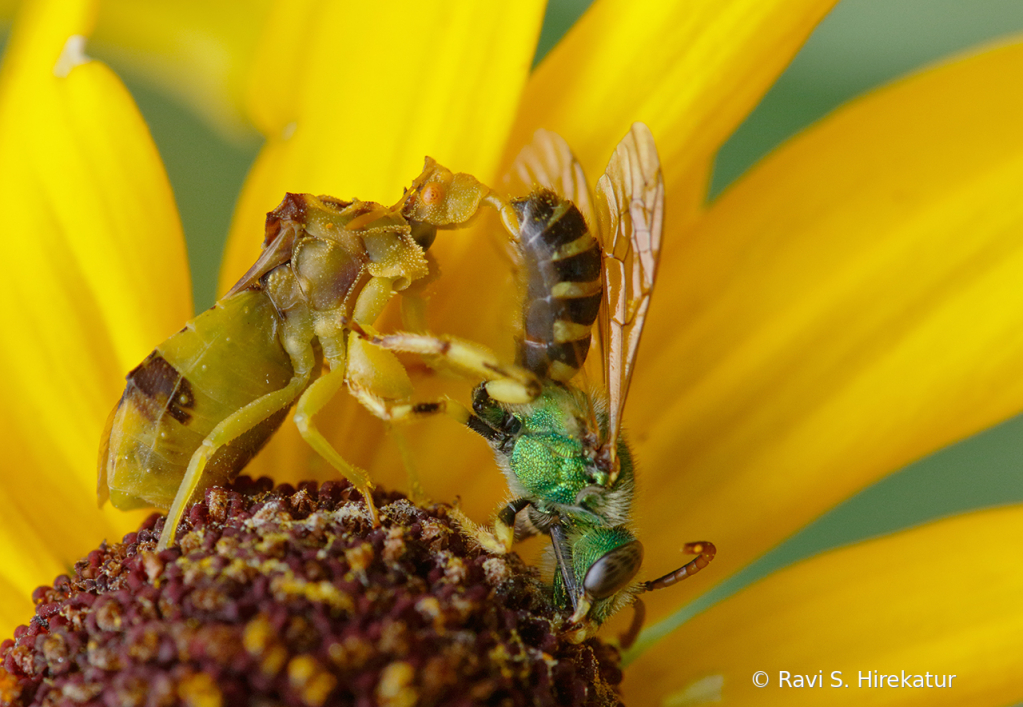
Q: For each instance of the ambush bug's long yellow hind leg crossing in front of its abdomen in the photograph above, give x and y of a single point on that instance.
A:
(238, 424)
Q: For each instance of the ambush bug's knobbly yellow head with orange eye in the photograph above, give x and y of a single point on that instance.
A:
(440, 199)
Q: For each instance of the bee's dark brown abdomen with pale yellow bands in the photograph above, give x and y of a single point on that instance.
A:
(562, 263)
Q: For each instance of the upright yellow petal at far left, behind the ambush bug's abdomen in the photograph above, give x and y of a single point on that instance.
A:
(97, 268)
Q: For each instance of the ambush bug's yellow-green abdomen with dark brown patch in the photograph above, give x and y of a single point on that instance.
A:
(223, 361)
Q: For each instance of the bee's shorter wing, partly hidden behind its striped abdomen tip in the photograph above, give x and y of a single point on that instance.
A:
(549, 162)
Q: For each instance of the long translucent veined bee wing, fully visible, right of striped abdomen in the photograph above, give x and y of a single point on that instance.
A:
(630, 205)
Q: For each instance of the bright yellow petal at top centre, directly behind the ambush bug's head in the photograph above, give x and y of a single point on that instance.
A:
(353, 97)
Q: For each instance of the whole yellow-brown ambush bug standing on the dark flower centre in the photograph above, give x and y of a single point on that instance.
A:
(206, 401)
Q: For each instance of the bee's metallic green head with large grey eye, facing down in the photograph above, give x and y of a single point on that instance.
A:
(604, 564)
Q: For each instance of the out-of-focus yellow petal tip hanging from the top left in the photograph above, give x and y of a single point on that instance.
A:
(199, 52)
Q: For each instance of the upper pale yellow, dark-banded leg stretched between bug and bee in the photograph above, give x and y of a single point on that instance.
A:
(506, 382)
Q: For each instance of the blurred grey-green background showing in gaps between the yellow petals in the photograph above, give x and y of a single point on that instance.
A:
(863, 45)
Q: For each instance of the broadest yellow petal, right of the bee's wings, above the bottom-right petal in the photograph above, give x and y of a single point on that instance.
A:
(851, 306)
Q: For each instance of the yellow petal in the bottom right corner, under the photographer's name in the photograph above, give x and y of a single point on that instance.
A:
(943, 599)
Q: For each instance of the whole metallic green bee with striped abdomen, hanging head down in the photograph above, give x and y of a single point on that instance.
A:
(564, 455)
